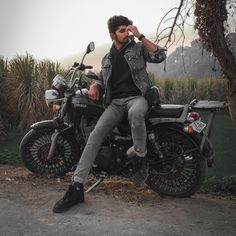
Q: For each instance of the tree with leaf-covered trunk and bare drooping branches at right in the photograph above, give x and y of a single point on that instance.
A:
(214, 21)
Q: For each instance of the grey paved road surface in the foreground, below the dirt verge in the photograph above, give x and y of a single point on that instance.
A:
(106, 215)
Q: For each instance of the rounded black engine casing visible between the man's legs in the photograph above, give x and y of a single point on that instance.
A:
(106, 159)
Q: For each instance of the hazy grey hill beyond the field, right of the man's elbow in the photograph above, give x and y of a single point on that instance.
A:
(192, 61)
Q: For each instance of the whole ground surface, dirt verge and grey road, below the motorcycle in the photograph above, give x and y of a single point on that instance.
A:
(115, 207)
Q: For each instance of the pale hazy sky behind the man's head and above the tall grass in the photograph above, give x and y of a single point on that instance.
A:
(58, 28)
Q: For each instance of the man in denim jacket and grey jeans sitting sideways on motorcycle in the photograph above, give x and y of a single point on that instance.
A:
(124, 82)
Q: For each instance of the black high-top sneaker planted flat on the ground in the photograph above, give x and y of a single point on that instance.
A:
(73, 196)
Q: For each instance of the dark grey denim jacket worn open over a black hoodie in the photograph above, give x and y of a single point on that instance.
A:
(136, 56)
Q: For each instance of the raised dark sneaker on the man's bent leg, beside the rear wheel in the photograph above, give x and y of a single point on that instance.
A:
(140, 171)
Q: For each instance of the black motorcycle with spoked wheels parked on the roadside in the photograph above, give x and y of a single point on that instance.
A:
(179, 149)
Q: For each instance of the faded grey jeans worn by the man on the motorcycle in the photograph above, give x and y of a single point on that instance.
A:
(136, 107)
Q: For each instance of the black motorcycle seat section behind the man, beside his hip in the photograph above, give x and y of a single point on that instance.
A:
(166, 111)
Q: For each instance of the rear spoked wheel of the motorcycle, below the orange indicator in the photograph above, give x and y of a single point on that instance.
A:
(182, 170)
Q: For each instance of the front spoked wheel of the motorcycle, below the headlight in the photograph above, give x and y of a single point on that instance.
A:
(34, 149)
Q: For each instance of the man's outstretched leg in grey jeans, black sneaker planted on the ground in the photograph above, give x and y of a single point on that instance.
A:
(75, 194)
